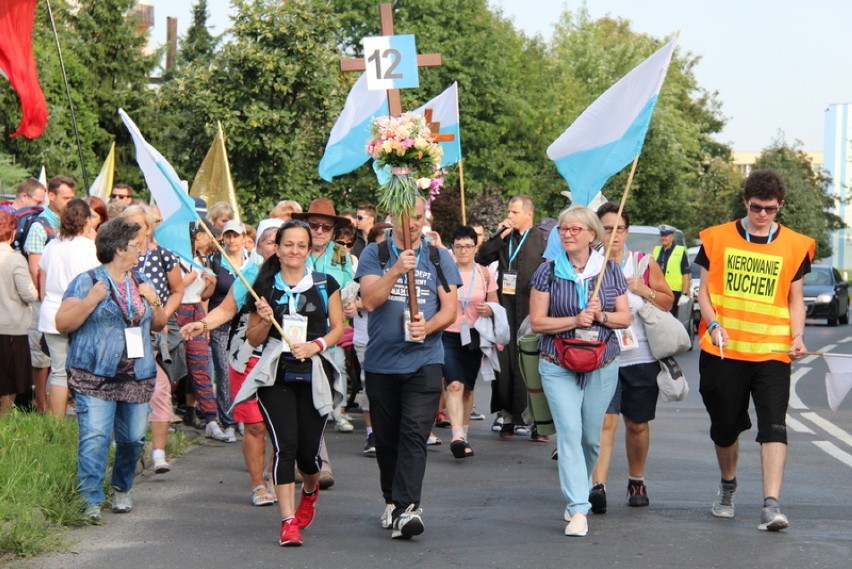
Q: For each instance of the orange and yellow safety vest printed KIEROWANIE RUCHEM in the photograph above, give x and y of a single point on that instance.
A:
(749, 286)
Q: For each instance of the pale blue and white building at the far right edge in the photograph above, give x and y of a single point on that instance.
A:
(838, 154)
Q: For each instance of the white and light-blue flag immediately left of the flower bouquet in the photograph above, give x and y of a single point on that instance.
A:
(347, 143)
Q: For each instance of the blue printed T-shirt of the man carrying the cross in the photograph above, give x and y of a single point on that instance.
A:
(387, 350)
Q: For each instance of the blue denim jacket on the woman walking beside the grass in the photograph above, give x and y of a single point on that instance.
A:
(98, 345)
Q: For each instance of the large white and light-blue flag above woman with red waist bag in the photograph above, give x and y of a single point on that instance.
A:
(610, 133)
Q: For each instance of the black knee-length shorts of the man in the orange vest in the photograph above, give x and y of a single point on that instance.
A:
(725, 388)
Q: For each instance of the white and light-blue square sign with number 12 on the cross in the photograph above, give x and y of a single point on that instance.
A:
(391, 62)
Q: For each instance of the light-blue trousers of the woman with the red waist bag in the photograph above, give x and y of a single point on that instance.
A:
(578, 416)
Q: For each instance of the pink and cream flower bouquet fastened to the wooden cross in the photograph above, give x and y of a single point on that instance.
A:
(406, 144)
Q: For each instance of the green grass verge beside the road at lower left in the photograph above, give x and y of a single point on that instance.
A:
(38, 481)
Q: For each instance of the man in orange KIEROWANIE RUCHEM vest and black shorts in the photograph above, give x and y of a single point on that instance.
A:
(753, 321)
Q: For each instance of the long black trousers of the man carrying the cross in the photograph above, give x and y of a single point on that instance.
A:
(403, 407)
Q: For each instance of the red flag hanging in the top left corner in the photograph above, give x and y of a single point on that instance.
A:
(17, 63)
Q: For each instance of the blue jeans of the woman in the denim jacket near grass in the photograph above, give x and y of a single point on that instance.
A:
(98, 420)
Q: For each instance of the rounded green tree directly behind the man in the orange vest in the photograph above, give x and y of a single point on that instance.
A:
(808, 203)
